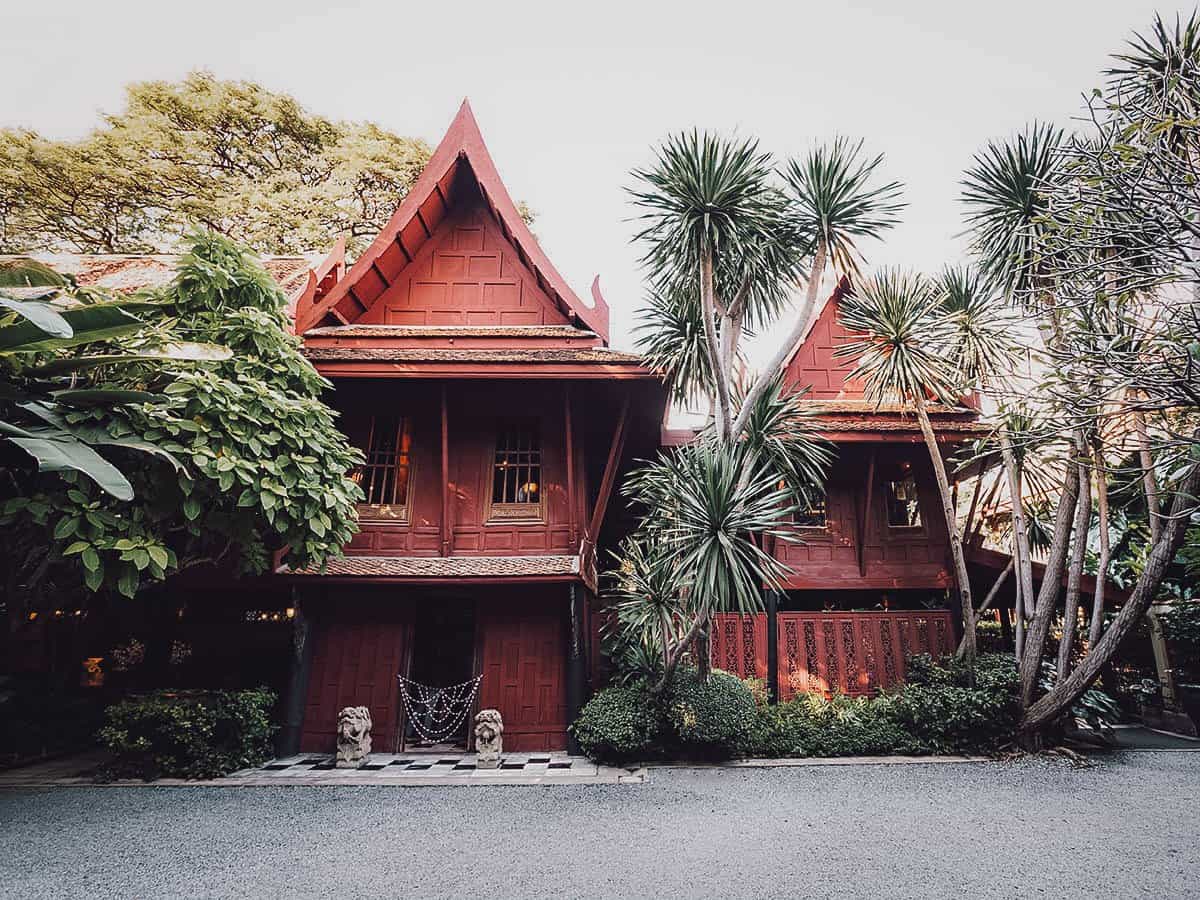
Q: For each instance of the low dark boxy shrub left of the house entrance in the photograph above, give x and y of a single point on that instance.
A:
(189, 735)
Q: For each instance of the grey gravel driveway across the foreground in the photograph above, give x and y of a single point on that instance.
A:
(1127, 827)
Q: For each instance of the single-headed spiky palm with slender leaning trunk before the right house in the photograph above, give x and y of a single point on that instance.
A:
(904, 352)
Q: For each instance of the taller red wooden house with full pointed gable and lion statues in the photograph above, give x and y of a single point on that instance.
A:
(496, 423)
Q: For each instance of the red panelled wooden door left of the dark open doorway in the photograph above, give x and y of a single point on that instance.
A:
(356, 664)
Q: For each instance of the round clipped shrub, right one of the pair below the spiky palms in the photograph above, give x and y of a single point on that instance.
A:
(713, 717)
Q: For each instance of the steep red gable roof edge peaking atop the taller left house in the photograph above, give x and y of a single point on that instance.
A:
(461, 163)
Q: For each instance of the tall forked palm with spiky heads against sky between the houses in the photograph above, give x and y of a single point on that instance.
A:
(727, 239)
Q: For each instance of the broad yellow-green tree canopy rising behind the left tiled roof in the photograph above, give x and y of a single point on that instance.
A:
(231, 157)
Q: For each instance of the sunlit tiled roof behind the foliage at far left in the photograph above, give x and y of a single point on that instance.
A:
(128, 273)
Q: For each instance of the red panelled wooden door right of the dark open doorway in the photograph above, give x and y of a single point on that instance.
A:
(523, 644)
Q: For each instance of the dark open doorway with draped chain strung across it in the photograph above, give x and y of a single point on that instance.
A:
(443, 659)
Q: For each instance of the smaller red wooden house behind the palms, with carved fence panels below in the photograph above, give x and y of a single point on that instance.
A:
(872, 579)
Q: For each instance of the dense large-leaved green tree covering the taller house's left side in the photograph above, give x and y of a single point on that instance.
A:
(249, 459)
